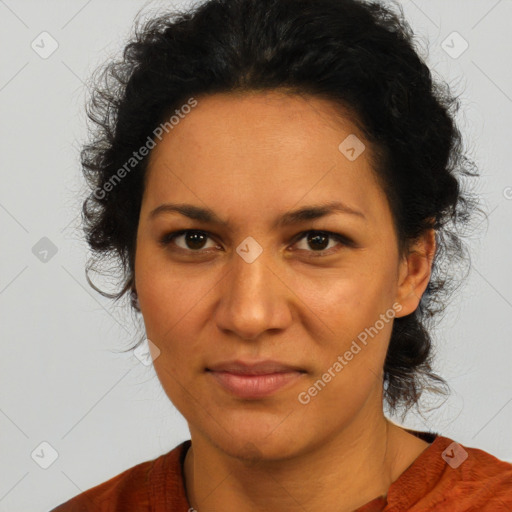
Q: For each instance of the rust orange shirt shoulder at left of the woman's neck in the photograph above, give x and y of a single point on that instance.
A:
(136, 488)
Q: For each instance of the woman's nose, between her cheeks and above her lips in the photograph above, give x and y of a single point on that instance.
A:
(253, 299)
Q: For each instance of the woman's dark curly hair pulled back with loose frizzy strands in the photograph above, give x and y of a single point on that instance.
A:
(360, 56)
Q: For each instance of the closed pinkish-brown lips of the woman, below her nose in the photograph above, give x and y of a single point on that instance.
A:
(254, 380)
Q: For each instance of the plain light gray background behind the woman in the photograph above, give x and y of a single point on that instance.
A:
(62, 380)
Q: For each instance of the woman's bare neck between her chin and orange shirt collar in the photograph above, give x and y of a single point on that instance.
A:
(341, 473)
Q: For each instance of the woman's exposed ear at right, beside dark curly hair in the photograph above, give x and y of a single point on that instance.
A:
(414, 272)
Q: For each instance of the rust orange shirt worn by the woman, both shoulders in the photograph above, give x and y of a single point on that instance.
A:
(446, 477)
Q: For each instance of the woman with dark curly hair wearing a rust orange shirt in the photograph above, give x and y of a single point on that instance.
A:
(282, 183)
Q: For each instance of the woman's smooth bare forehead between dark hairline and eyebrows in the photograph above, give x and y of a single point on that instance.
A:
(261, 152)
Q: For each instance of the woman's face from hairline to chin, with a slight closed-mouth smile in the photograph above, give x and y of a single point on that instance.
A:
(251, 287)
